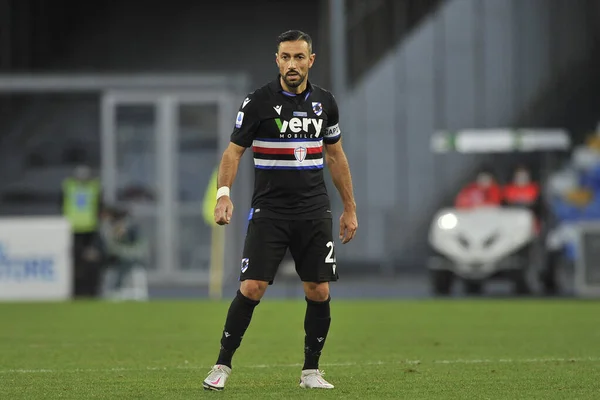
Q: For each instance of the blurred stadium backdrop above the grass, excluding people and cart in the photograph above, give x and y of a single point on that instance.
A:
(145, 95)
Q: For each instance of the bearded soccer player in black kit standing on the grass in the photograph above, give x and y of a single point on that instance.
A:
(292, 127)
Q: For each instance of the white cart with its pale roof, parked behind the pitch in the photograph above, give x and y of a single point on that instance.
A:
(476, 245)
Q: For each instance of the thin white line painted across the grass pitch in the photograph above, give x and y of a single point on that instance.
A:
(345, 364)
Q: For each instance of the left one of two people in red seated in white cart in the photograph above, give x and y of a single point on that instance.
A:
(485, 191)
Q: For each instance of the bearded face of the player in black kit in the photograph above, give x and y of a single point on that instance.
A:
(294, 60)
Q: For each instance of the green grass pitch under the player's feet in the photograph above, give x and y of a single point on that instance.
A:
(455, 349)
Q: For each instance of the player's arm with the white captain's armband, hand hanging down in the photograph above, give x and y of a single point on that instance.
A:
(340, 174)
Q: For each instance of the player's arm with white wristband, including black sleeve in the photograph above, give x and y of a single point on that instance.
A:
(246, 125)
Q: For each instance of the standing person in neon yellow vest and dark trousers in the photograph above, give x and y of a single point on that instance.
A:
(81, 202)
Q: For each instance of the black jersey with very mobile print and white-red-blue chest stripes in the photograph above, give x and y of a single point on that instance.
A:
(286, 132)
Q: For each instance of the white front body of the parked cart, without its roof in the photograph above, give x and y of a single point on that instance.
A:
(480, 244)
